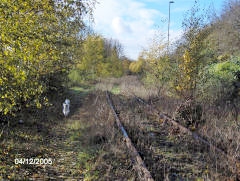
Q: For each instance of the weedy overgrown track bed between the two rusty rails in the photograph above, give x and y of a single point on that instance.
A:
(167, 152)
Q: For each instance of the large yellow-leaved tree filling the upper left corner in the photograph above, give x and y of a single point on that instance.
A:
(37, 43)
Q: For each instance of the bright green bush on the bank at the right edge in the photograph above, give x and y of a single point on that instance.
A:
(217, 81)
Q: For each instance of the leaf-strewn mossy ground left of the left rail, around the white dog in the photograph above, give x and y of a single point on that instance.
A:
(83, 146)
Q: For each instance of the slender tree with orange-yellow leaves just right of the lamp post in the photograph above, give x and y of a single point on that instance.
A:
(195, 52)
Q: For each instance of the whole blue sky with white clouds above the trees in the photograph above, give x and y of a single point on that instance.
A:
(134, 22)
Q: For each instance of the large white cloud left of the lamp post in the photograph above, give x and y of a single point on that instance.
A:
(129, 21)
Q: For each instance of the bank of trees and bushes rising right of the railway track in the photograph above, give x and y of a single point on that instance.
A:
(200, 67)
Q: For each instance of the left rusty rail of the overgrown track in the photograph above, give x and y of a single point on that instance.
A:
(139, 165)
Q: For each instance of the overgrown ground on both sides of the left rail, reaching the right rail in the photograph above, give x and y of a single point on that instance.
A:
(87, 145)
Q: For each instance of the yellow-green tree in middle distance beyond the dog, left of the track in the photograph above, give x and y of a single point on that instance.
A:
(100, 58)
